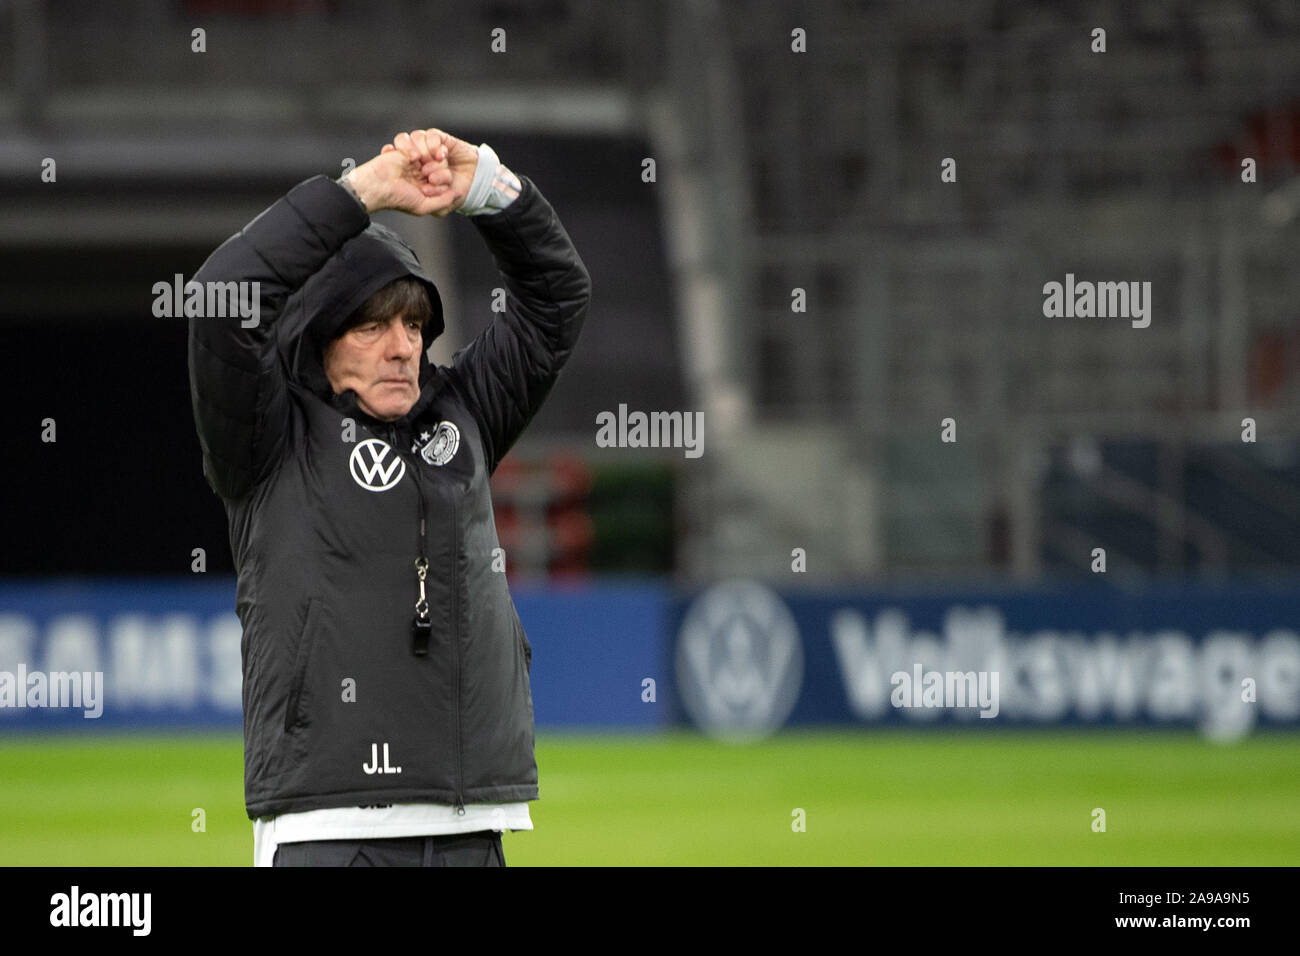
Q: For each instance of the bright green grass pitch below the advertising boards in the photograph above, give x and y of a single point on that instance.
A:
(894, 798)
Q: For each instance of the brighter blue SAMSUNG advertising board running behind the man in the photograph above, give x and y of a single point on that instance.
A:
(149, 654)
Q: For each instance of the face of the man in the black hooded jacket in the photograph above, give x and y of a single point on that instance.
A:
(382, 362)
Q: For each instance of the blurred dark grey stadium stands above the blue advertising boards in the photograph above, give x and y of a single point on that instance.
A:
(924, 301)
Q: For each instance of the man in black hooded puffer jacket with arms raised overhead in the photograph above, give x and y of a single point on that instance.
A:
(387, 703)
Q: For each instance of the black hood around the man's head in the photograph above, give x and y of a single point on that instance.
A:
(314, 314)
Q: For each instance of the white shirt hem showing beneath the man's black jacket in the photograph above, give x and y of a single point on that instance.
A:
(382, 823)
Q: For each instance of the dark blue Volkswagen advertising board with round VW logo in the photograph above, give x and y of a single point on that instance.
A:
(749, 660)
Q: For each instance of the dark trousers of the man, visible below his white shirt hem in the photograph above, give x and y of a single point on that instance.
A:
(480, 849)
